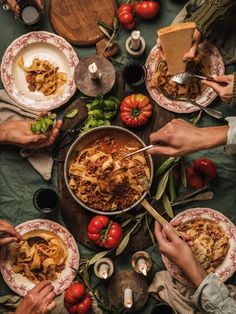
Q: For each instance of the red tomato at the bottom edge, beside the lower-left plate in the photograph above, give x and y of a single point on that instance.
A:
(77, 301)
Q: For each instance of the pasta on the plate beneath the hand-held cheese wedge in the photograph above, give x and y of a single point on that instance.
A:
(193, 87)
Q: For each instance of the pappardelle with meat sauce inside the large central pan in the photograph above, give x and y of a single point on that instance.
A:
(103, 181)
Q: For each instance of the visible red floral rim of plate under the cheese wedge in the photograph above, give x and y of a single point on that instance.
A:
(217, 68)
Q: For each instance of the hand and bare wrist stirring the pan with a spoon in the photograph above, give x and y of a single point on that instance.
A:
(180, 138)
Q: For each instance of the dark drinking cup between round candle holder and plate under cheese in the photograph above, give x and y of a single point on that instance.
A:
(134, 74)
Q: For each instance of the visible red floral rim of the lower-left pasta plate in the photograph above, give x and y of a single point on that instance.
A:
(22, 285)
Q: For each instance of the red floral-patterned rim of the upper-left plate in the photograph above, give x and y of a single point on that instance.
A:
(9, 58)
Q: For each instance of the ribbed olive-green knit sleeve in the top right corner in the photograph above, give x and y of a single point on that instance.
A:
(212, 13)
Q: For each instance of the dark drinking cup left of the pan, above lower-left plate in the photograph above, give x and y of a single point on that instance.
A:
(46, 201)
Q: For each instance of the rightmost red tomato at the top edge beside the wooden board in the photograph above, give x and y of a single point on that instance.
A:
(146, 9)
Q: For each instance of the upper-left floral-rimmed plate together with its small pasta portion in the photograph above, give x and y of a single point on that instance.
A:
(37, 71)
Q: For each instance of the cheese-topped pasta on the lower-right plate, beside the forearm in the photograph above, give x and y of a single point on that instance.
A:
(209, 242)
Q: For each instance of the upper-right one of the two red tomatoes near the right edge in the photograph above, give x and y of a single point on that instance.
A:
(206, 168)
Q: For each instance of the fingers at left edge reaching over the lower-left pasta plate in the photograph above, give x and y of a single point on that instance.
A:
(8, 233)
